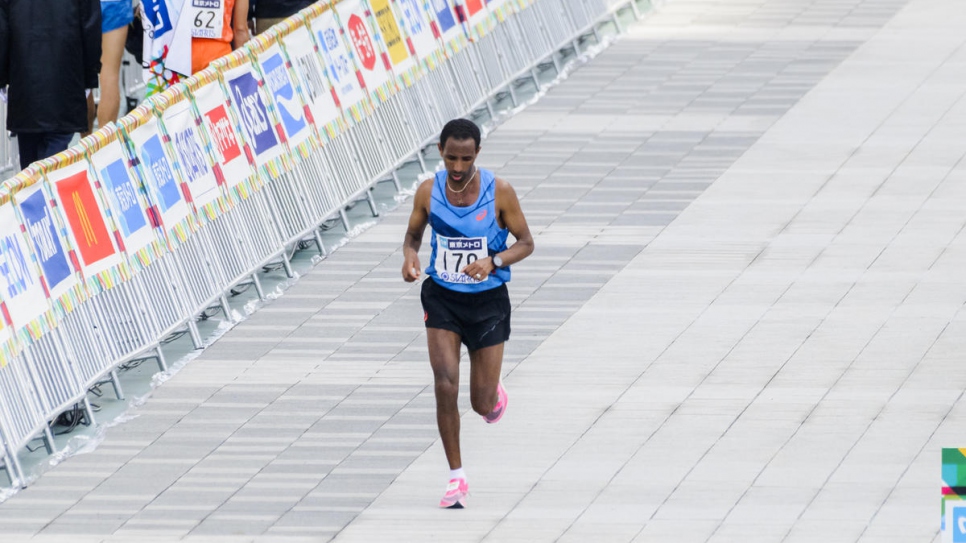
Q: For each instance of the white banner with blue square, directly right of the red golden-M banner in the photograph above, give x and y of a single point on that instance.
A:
(126, 199)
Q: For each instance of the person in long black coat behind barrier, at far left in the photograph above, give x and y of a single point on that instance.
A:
(50, 55)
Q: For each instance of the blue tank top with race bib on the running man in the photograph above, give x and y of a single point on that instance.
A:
(462, 235)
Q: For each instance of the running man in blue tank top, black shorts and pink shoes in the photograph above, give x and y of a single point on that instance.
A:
(465, 300)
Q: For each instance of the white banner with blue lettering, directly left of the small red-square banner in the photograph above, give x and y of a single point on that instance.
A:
(179, 124)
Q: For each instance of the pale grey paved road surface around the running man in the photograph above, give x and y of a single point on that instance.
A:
(743, 321)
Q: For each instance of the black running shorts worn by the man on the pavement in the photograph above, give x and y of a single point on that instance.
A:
(481, 319)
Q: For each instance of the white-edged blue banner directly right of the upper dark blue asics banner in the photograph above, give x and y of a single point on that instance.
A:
(294, 116)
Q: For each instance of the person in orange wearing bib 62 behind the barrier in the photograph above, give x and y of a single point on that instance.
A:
(217, 27)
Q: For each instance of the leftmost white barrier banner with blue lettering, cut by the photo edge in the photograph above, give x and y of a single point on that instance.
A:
(22, 293)
